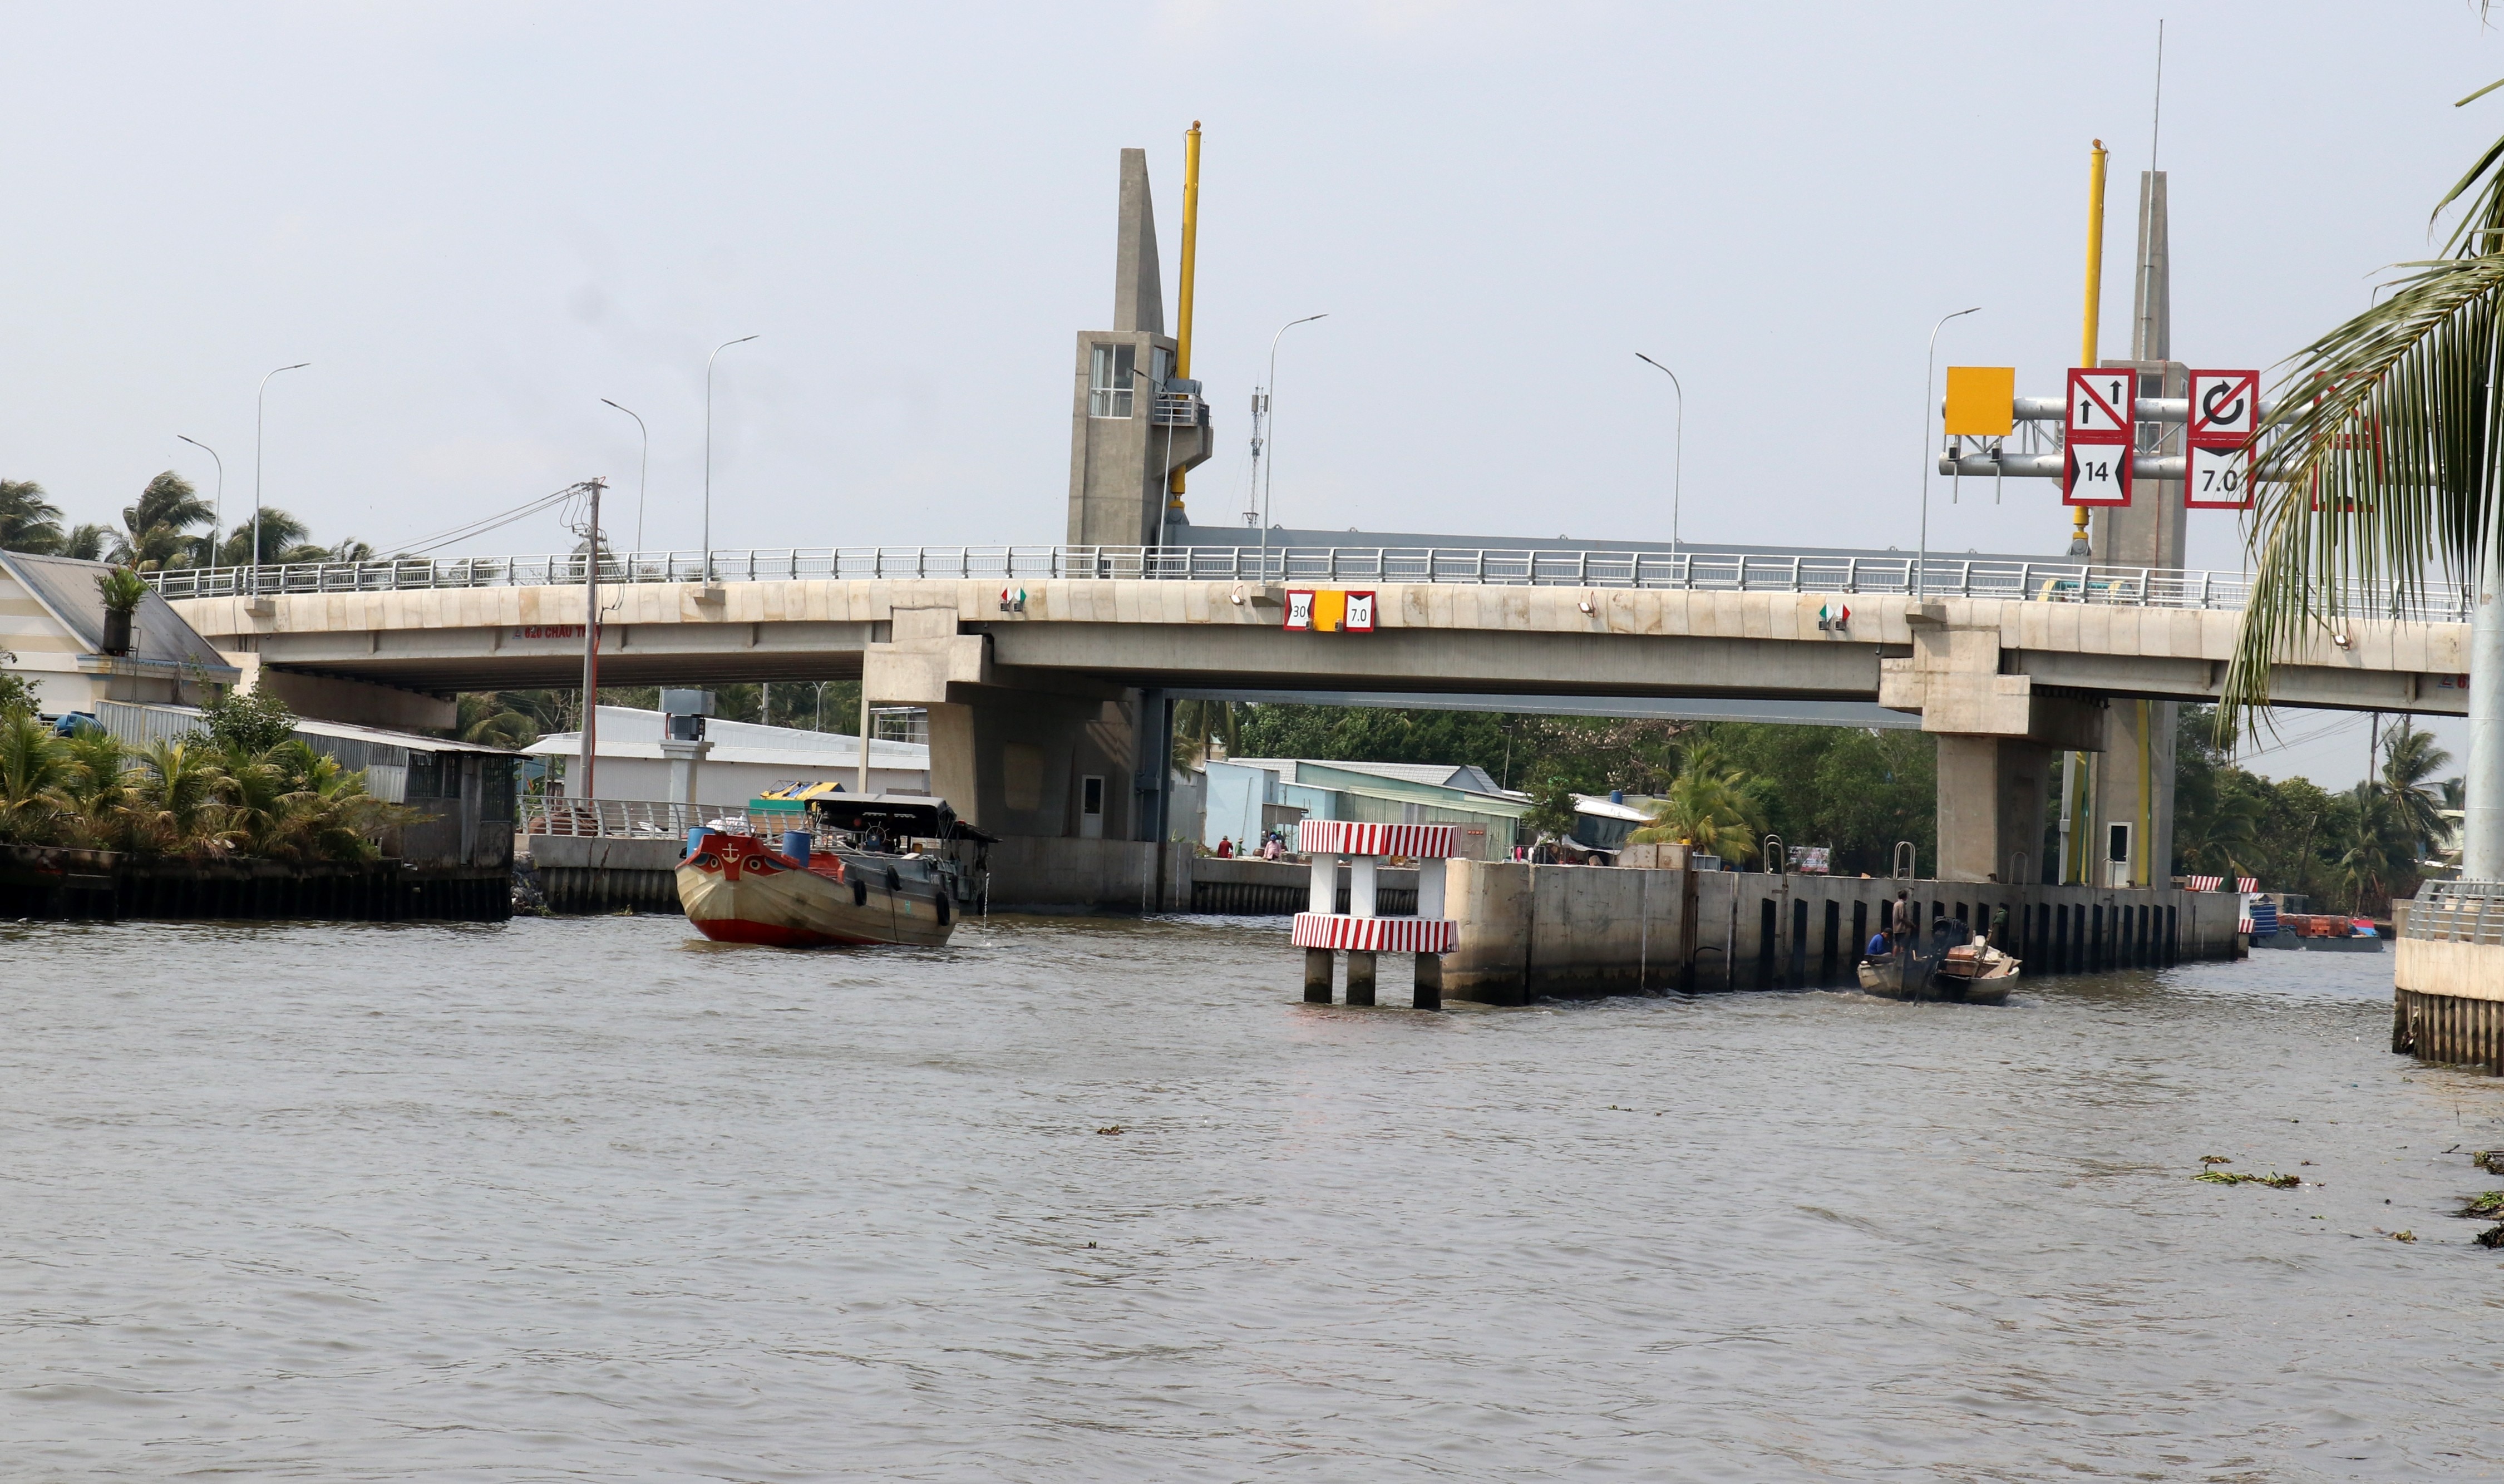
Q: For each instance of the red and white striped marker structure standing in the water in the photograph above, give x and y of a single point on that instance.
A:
(1323, 930)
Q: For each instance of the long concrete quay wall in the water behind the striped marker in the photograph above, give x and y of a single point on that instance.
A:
(1576, 930)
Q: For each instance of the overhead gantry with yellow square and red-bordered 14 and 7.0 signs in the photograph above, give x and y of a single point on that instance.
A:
(2107, 434)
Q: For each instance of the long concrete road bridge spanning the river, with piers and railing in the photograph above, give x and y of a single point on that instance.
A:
(1053, 664)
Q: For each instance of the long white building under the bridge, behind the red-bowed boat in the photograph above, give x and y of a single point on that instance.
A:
(745, 760)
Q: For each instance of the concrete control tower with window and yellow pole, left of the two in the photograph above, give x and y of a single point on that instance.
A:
(1136, 419)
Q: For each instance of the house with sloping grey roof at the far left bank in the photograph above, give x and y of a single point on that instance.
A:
(54, 637)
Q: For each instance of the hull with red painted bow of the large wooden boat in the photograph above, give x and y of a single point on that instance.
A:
(740, 892)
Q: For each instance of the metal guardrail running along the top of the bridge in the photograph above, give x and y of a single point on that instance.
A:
(1318, 564)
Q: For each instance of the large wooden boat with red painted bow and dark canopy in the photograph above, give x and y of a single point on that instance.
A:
(855, 892)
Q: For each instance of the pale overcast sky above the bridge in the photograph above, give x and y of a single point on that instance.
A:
(482, 219)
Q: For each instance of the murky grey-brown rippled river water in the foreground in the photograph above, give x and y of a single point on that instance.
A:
(587, 1200)
